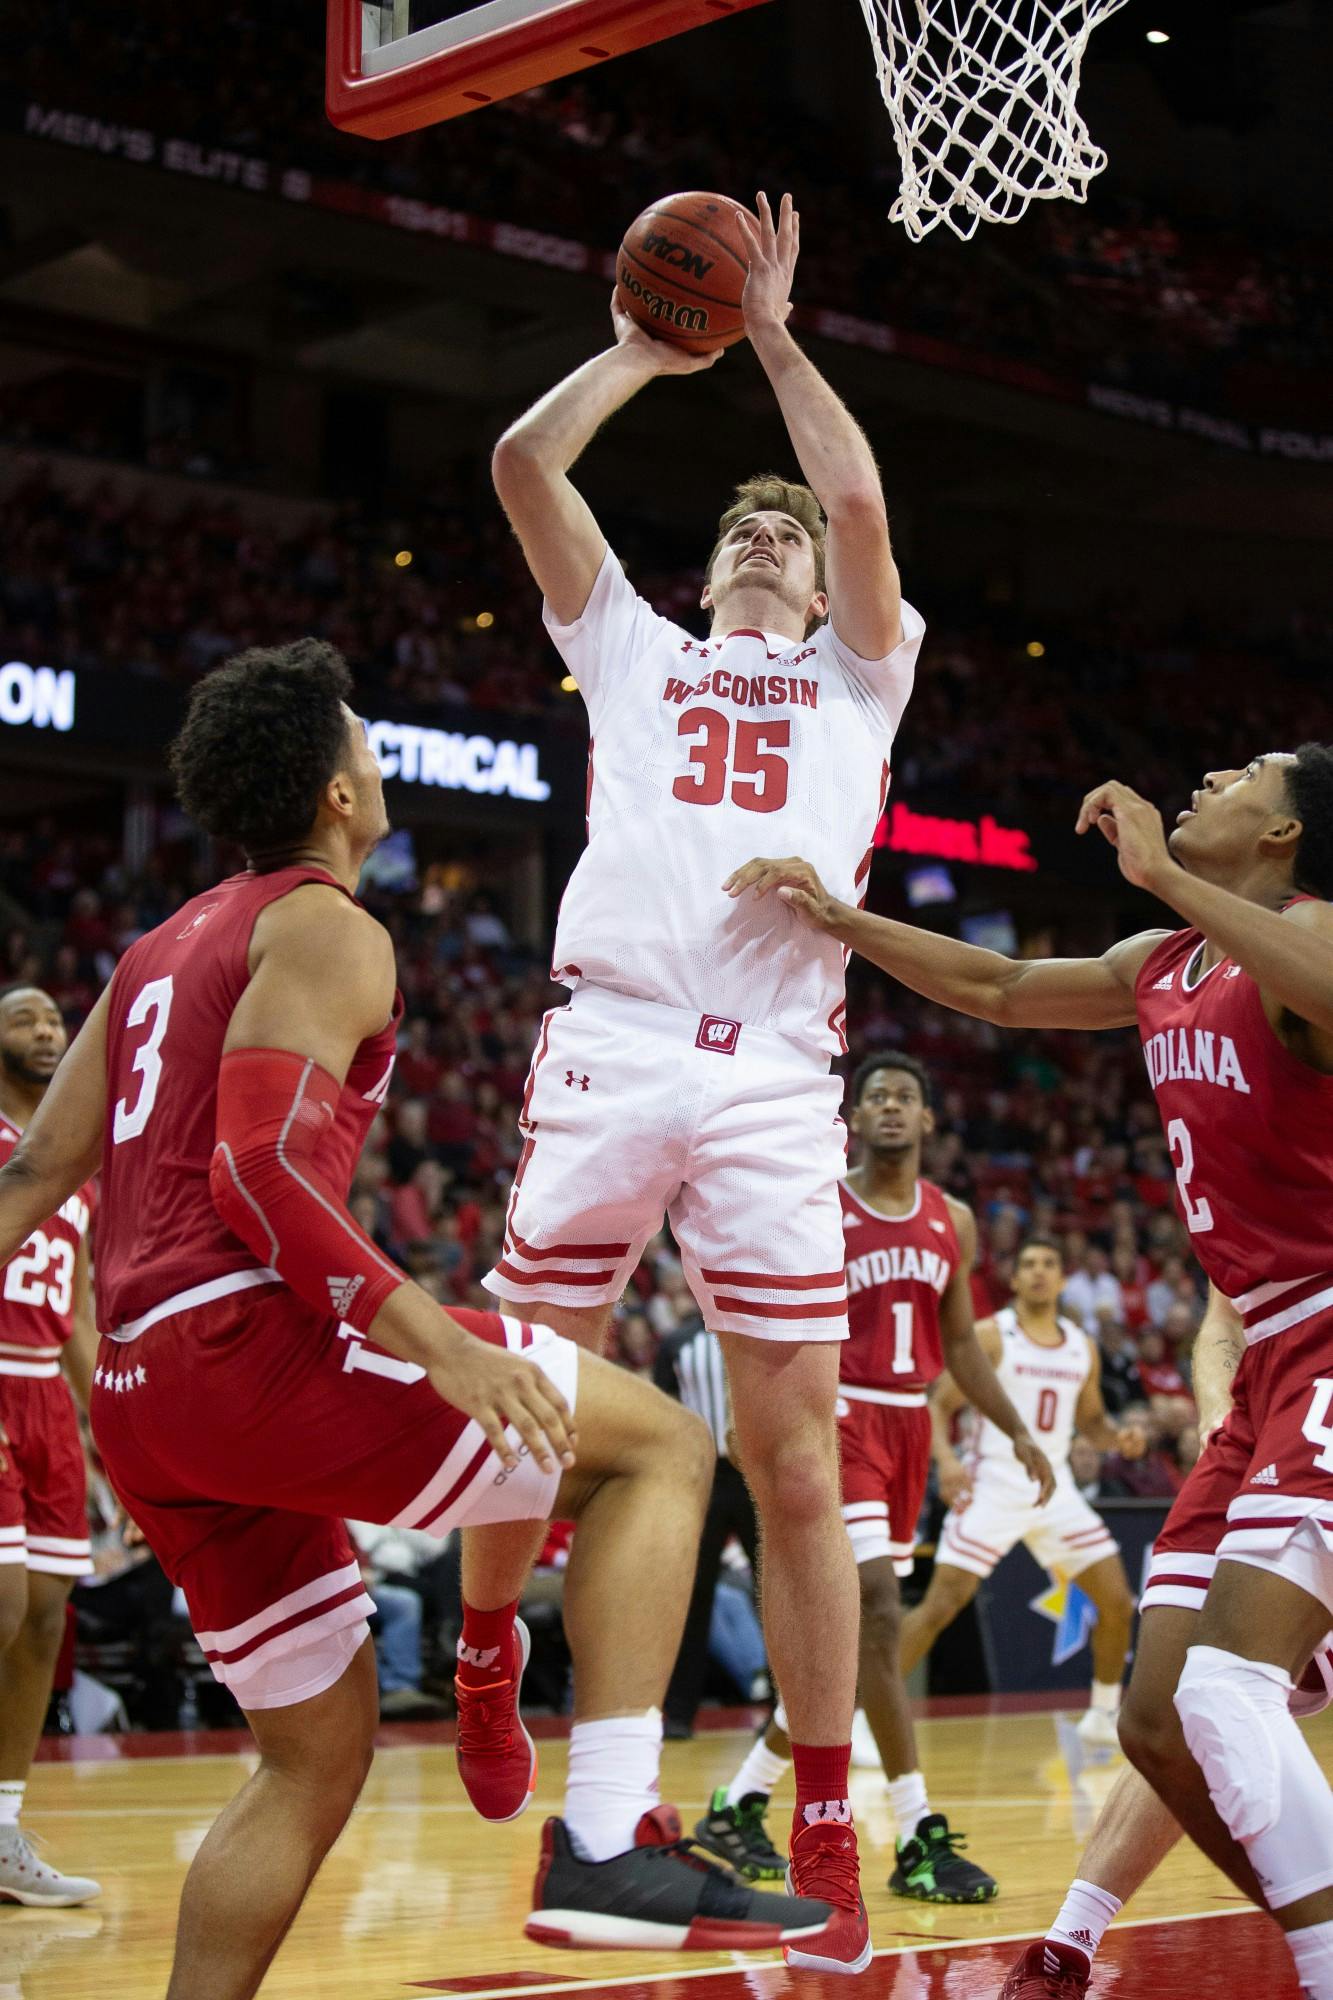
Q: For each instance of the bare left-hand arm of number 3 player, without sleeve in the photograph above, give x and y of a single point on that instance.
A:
(63, 1143)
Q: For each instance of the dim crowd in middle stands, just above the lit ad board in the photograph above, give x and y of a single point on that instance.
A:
(107, 581)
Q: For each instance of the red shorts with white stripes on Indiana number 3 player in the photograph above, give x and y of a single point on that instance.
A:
(245, 1431)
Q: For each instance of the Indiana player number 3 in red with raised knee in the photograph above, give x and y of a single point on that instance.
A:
(265, 1373)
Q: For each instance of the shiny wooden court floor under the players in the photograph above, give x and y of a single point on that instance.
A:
(421, 1897)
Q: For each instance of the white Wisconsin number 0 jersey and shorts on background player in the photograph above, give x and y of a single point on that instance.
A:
(1066, 1535)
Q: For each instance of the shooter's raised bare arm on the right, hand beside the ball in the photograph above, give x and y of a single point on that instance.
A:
(830, 445)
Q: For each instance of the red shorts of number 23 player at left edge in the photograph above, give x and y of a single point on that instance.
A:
(43, 1481)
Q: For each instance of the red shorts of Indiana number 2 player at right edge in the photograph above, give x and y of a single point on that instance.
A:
(1264, 1489)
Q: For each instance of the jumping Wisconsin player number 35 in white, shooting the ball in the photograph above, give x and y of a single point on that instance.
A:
(690, 1075)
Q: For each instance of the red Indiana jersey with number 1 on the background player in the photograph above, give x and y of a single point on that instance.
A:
(898, 1273)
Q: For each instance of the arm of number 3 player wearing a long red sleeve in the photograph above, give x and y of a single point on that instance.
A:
(289, 1047)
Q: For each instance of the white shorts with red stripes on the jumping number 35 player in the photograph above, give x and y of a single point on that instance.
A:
(635, 1113)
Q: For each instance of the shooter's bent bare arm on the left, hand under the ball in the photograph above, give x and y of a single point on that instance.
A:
(531, 463)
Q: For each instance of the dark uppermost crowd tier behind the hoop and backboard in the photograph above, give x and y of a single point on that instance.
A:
(1112, 291)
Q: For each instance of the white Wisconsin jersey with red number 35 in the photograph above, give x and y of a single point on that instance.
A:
(706, 755)
